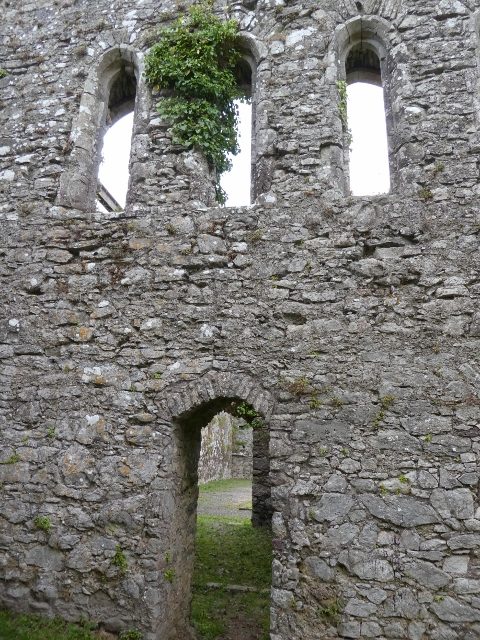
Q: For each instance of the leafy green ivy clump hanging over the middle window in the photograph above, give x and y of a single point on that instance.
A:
(195, 59)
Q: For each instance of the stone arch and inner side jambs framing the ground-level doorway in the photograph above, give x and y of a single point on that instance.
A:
(188, 409)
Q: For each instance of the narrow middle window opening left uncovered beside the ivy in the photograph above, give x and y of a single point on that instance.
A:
(237, 182)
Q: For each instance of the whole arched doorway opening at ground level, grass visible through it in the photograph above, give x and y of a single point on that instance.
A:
(225, 523)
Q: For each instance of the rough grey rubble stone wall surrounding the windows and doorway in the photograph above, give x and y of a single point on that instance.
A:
(350, 324)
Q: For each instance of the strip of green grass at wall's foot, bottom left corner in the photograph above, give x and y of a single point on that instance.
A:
(27, 627)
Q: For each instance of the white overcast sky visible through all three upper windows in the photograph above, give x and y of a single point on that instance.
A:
(368, 157)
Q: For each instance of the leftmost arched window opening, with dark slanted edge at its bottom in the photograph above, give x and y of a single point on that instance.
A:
(113, 173)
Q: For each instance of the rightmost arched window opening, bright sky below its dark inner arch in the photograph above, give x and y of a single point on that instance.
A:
(369, 160)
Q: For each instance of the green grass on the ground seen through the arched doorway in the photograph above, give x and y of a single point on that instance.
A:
(230, 551)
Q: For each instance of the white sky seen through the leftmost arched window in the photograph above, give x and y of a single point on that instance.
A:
(113, 171)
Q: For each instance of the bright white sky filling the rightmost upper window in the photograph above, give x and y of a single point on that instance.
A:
(369, 170)
